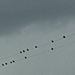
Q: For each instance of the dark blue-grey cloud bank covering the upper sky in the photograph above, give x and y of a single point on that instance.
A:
(15, 14)
